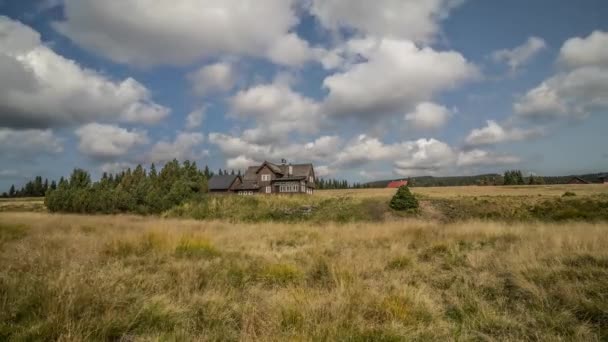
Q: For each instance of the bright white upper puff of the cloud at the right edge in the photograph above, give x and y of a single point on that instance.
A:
(592, 50)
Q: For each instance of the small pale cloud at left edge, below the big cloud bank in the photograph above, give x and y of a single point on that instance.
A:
(22, 143)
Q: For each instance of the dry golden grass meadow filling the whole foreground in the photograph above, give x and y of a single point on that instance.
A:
(70, 277)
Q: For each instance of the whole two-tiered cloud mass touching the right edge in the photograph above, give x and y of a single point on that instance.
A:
(575, 91)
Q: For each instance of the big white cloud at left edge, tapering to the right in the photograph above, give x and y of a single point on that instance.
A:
(39, 88)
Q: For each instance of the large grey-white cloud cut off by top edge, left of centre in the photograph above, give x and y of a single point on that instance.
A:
(149, 32)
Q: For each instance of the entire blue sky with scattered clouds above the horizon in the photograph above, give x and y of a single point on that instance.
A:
(365, 90)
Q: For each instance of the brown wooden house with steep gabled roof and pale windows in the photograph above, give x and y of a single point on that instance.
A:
(270, 178)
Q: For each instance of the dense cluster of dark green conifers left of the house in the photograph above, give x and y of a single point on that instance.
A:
(139, 191)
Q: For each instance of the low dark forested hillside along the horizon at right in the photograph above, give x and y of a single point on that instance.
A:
(485, 179)
